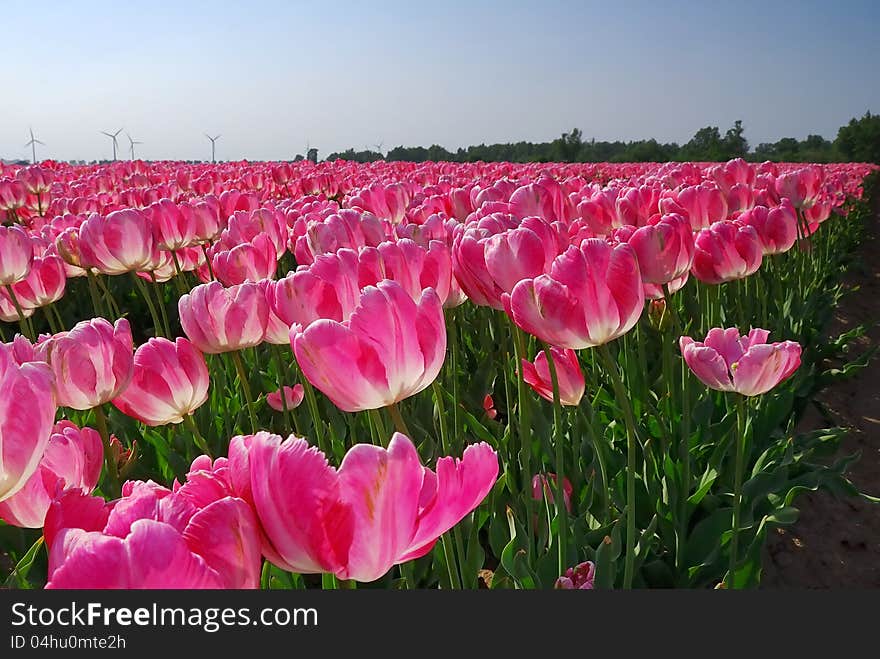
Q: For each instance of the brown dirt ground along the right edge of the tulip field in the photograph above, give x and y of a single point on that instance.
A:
(836, 541)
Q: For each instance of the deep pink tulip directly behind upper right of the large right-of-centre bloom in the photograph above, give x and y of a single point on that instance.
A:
(665, 249)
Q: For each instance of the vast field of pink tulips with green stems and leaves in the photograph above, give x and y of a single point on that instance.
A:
(401, 375)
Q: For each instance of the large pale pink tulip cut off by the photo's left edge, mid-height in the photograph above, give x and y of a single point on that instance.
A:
(27, 411)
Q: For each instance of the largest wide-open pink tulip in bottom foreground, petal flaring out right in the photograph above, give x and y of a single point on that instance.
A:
(379, 509)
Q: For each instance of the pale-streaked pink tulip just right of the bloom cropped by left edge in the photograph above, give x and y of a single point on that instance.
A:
(93, 363)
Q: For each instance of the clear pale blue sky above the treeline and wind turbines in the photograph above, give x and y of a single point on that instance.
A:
(274, 76)
